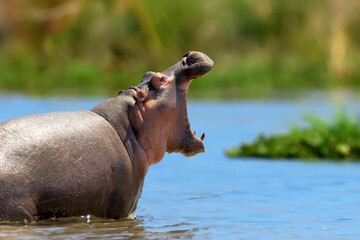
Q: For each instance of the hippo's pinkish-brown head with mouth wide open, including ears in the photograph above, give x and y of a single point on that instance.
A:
(159, 116)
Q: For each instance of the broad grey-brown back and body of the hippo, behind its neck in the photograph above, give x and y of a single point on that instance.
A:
(62, 164)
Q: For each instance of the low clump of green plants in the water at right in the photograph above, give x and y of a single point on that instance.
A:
(320, 140)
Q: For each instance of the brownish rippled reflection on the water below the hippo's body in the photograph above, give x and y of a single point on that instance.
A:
(92, 227)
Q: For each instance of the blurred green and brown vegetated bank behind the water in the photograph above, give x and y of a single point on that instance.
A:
(260, 47)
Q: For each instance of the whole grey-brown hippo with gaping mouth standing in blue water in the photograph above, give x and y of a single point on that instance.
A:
(93, 162)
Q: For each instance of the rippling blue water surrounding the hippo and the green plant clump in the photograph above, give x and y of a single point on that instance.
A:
(212, 197)
